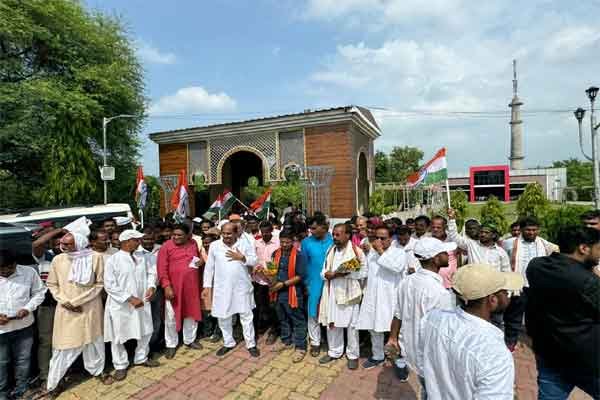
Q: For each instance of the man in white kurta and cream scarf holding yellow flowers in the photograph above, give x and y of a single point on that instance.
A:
(340, 299)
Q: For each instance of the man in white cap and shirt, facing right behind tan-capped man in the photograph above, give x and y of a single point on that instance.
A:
(418, 294)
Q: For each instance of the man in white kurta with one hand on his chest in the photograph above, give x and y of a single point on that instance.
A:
(227, 274)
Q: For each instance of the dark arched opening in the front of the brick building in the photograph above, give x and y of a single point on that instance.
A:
(238, 168)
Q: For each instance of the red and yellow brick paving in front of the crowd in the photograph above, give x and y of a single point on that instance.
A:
(199, 374)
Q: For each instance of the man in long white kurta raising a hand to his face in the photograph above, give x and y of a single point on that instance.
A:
(385, 266)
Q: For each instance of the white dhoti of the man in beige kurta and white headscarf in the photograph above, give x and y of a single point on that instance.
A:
(93, 361)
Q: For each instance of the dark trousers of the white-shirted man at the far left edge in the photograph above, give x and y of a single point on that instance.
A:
(15, 350)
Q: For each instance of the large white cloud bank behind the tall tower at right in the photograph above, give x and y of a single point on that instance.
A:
(428, 63)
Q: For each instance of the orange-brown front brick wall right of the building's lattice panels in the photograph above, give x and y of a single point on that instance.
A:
(332, 145)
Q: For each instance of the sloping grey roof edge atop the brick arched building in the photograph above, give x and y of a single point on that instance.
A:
(360, 115)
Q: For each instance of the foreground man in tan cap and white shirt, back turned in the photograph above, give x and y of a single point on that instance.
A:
(463, 355)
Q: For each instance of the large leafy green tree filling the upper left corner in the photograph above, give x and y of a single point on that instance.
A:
(62, 69)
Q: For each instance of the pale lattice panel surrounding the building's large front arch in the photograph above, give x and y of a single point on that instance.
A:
(263, 145)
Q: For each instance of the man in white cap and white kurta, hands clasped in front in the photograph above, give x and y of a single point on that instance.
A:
(130, 281)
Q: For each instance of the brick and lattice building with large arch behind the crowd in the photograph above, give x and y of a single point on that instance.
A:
(226, 155)
